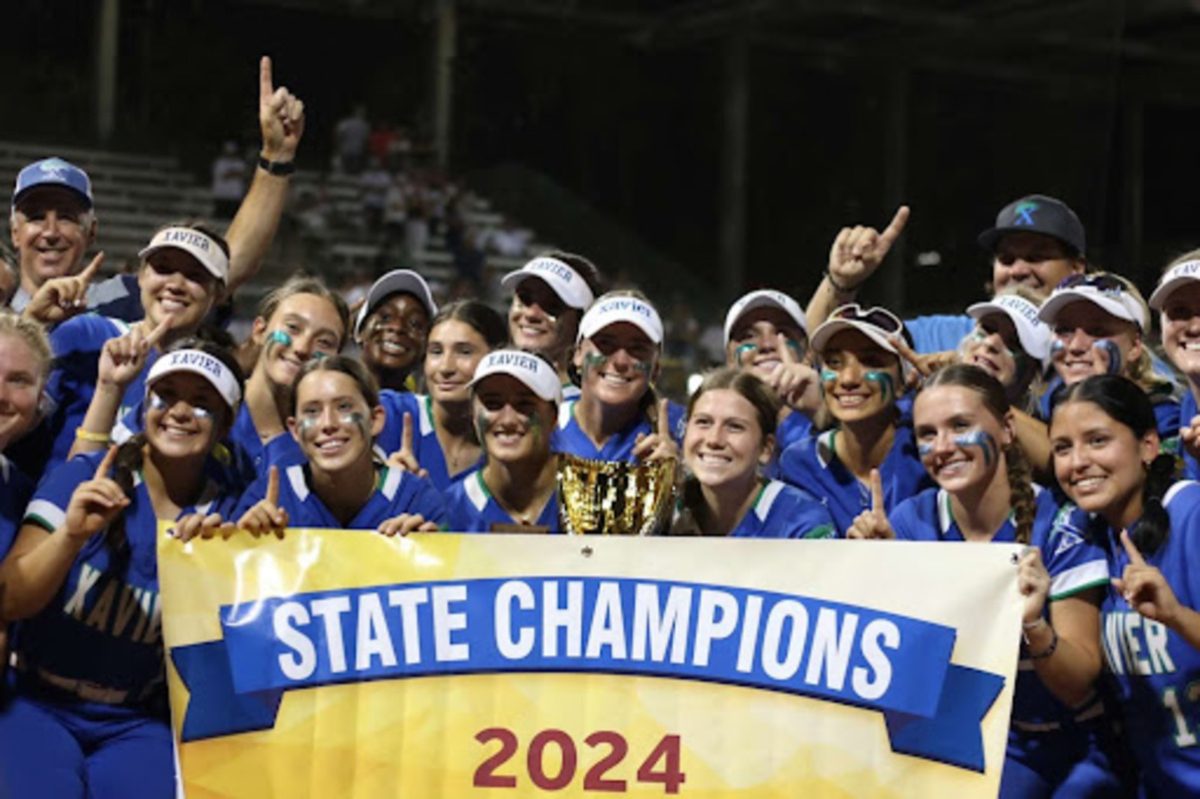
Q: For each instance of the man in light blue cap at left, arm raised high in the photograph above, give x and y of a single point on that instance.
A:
(55, 224)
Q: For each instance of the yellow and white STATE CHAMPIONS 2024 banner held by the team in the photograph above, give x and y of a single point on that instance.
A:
(338, 663)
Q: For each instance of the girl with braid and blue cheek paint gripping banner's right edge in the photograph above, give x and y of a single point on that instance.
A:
(968, 442)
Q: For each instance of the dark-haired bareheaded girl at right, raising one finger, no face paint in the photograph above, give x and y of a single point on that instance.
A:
(1107, 460)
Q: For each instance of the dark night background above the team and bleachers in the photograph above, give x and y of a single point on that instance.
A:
(956, 109)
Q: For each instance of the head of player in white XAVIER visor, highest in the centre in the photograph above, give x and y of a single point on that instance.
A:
(550, 296)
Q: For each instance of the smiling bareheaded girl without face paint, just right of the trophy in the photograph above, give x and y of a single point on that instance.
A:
(729, 441)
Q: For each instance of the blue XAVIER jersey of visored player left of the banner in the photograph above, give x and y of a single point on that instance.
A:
(104, 624)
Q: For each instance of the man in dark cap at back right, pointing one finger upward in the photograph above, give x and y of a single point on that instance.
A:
(1036, 243)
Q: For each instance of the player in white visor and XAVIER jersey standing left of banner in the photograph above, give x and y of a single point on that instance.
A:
(89, 714)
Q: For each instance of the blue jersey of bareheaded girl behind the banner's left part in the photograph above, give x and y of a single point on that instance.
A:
(398, 492)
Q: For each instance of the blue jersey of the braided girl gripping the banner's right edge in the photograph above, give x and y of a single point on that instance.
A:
(1073, 562)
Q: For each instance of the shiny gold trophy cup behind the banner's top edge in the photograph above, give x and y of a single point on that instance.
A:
(614, 498)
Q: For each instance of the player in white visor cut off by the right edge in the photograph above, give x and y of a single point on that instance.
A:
(1178, 302)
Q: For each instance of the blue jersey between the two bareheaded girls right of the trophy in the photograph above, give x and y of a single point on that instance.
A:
(813, 465)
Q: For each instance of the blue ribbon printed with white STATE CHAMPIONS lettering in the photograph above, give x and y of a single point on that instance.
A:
(797, 645)
